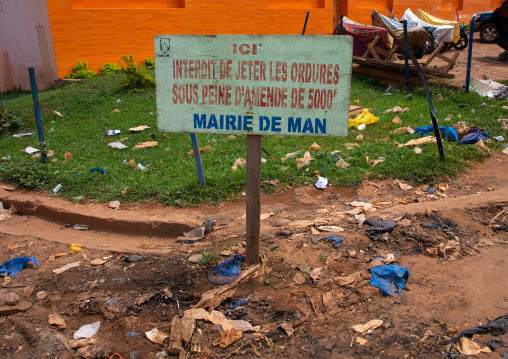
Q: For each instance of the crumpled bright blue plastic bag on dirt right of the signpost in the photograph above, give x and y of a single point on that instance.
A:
(389, 278)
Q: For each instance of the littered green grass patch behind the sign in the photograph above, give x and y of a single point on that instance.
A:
(170, 177)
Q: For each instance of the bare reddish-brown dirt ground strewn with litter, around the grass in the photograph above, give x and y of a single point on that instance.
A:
(305, 295)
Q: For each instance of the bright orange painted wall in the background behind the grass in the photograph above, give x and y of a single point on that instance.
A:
(100, 31)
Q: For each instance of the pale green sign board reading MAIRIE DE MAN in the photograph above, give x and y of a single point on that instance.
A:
(249, 84)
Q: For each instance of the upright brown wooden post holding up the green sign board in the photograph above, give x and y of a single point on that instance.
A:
(253, 205)
